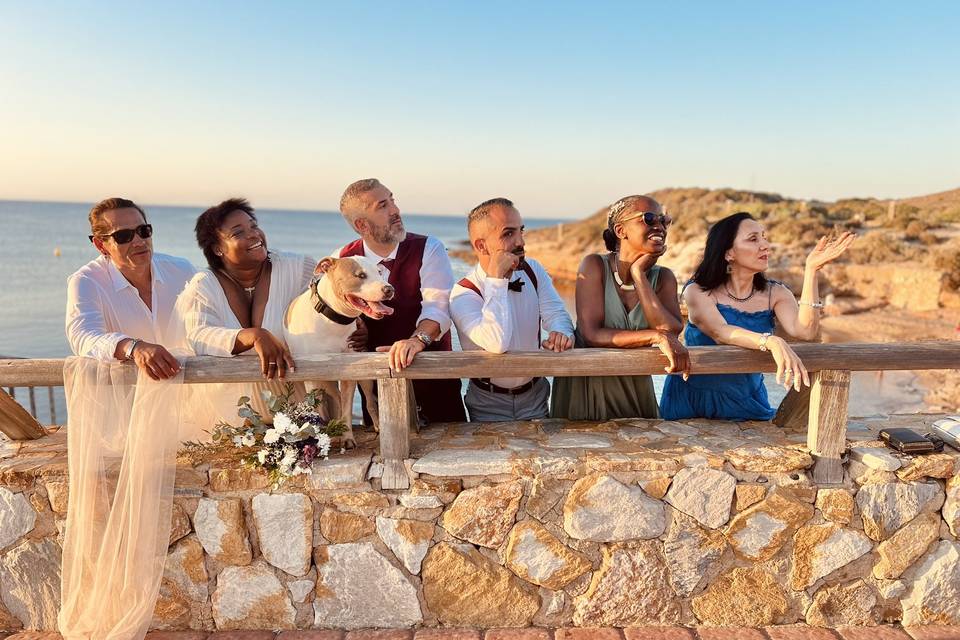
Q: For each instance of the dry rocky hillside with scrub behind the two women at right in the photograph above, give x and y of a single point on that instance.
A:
(908, 248)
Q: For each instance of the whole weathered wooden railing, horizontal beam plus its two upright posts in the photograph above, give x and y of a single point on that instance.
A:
(830, 366)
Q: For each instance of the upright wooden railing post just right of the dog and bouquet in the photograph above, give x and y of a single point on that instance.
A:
(397, 413)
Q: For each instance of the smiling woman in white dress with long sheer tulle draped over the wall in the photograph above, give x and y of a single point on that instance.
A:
(125, 430)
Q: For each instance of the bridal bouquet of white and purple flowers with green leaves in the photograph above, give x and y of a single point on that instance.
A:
(298, 436)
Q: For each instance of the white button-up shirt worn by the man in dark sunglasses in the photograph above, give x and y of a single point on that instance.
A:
(103, 308)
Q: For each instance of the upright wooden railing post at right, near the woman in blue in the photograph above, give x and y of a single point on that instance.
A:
(827, 426)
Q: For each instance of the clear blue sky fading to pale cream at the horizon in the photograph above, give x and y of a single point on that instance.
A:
(562, 107)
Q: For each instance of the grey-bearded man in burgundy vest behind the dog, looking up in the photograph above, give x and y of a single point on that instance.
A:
(418, 268)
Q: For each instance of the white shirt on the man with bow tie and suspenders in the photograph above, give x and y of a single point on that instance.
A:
(504, 320)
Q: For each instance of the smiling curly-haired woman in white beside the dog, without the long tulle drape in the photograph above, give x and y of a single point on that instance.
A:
(237, 305)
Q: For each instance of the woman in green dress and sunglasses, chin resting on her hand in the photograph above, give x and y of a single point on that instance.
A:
(624, 300)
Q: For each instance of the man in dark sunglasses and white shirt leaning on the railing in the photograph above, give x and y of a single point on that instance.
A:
(120, 304)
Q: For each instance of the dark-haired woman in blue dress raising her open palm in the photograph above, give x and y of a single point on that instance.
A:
(730, 301)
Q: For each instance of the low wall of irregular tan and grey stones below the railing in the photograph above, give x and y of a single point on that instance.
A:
(619, 524)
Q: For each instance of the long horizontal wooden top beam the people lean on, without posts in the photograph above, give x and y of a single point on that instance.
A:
(579, 362)
